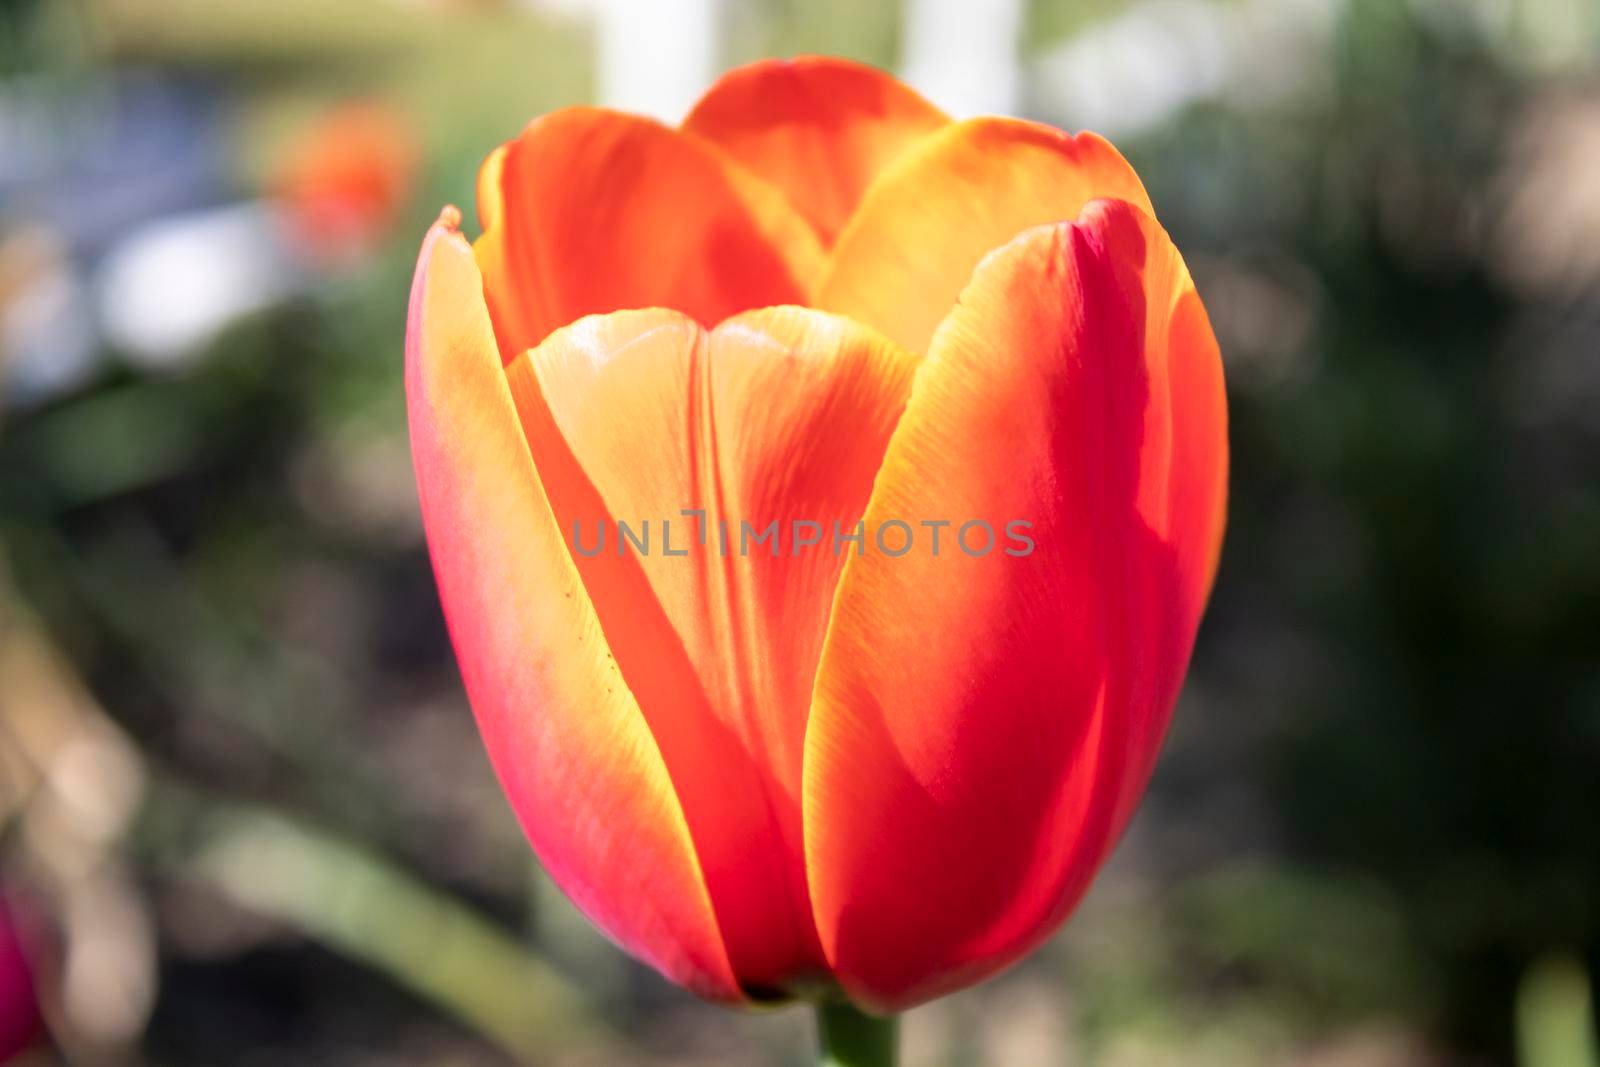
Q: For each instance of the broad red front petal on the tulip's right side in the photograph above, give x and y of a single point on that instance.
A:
(985, 725)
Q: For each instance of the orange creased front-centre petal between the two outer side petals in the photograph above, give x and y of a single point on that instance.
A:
(772, 417)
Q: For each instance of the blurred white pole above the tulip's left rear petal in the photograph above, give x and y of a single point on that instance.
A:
(657, 57)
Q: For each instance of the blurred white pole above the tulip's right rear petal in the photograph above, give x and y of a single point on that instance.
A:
(964, 55)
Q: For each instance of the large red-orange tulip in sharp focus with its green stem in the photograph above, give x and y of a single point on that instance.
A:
(863, 777)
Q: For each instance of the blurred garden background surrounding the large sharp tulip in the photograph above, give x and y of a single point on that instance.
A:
(244, 812)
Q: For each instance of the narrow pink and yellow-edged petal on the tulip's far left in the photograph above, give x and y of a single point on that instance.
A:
(567, 738)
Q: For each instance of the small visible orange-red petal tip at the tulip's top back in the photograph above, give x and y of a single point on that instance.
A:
(818, 129)
